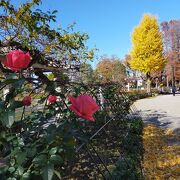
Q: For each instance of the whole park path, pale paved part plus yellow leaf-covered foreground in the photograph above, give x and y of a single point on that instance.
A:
(161, 146)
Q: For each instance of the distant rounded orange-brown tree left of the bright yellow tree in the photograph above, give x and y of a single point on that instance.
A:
(111, 69)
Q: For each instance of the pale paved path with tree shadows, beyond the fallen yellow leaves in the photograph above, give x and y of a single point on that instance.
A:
(163, 110)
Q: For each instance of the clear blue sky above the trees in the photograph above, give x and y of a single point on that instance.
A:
(109, 23)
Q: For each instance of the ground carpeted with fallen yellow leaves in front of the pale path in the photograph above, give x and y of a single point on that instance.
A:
(161, 159)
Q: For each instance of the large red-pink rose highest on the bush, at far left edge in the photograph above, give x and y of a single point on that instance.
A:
(17, 60)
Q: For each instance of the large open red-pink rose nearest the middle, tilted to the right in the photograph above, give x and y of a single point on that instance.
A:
(84, 106)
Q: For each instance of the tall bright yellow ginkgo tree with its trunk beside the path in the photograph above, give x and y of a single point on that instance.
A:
(147, 48)
